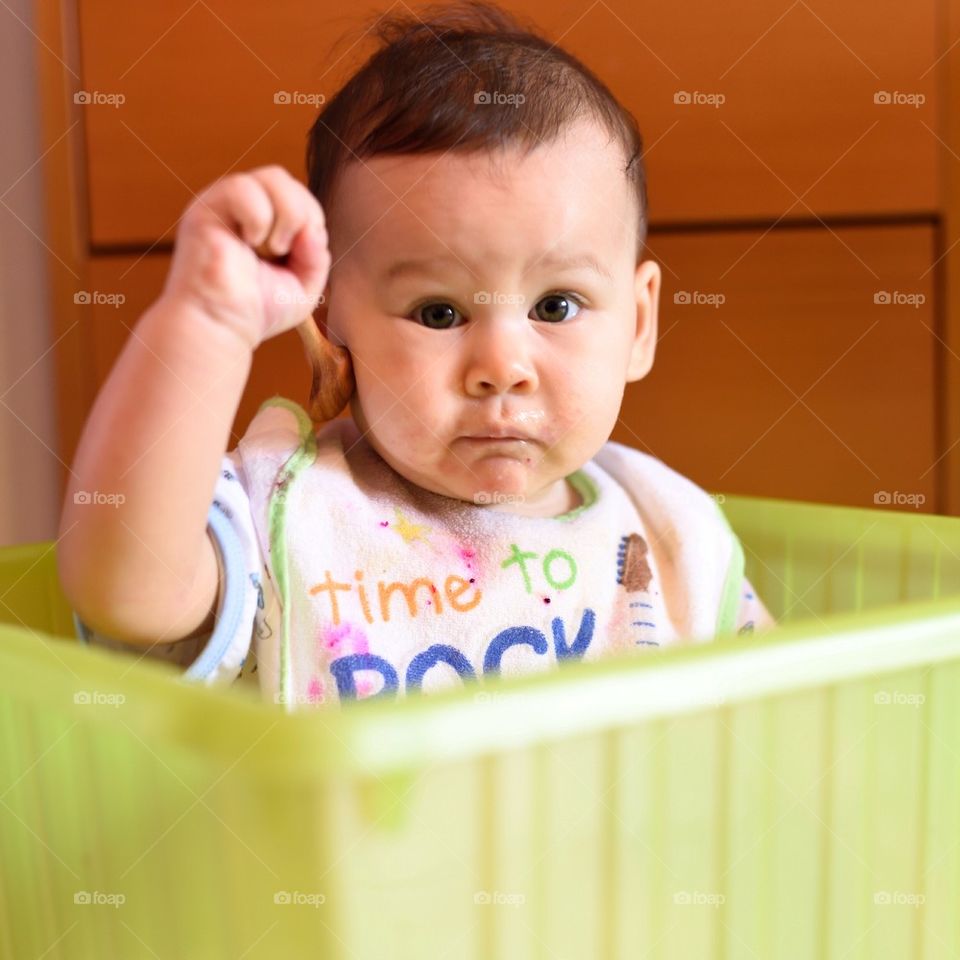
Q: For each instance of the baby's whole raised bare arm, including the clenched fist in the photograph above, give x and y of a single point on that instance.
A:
(145, 570)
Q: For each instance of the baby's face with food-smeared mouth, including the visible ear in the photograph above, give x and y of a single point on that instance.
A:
(498, 294)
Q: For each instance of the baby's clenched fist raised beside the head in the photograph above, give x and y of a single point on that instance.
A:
(216, 269)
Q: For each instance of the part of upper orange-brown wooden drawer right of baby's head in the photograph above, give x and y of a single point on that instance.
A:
(799, 133)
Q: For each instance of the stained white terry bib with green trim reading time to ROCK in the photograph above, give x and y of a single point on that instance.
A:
(377, 587)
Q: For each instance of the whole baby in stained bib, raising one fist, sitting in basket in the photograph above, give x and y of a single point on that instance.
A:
(484, 198)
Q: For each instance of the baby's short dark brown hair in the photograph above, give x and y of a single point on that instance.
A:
(464, 76)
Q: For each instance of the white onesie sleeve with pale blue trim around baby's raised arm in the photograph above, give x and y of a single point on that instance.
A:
(217, 657)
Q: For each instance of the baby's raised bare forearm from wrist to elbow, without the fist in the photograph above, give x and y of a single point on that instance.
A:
(145, 570)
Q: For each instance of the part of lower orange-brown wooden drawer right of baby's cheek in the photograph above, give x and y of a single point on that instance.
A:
(778, 374)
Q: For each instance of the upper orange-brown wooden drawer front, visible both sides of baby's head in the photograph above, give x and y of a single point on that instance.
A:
(798, 134)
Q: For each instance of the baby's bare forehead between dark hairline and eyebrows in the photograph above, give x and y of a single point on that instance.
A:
(566, 189)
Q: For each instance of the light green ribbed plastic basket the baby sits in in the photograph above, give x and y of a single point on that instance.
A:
(789, 794)
